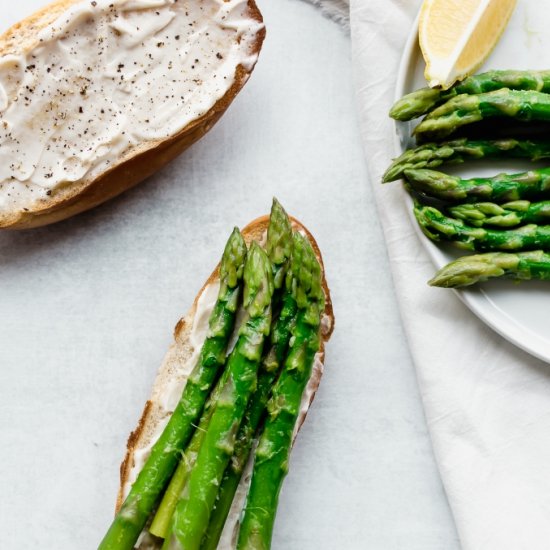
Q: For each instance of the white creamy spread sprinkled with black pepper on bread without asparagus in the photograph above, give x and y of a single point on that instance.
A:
(108, 76)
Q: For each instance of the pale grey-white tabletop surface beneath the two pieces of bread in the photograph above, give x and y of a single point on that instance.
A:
(88, 307)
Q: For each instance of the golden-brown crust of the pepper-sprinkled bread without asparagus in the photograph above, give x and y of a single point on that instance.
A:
(138, 163)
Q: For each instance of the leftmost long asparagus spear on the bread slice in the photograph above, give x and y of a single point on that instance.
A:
(160, 465)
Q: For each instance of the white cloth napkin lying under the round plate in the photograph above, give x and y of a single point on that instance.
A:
(487, 403)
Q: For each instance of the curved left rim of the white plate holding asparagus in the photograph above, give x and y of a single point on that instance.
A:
(475, 299)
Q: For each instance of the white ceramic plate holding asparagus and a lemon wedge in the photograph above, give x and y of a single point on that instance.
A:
(520, 312)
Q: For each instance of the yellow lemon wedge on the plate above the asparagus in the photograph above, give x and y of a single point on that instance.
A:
(456, 36)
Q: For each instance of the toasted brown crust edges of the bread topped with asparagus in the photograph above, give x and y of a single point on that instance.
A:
(254, 231)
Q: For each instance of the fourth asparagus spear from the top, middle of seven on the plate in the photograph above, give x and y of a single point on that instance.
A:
(504, 187)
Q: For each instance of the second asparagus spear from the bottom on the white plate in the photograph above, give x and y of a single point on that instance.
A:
(437, 226)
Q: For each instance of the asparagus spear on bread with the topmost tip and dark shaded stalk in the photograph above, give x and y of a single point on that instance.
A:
(279, 248)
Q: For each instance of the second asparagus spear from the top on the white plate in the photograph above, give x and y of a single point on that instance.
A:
(466, 109)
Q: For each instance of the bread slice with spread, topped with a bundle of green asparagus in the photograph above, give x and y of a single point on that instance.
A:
(229, 398)
